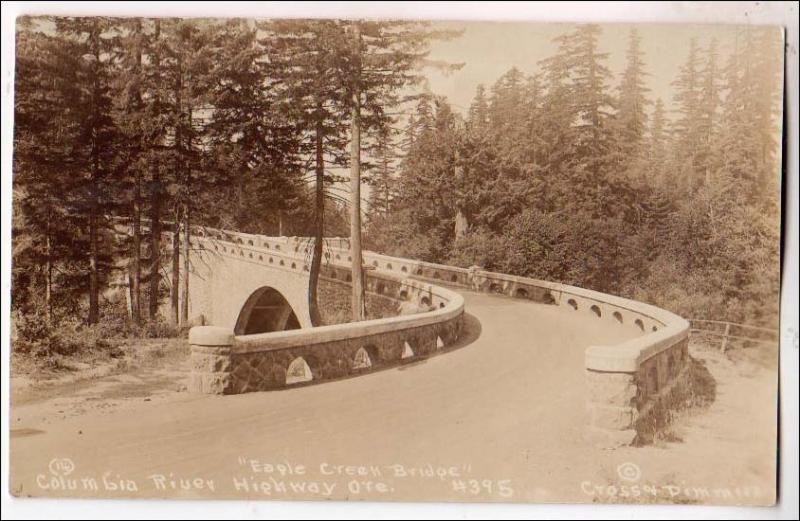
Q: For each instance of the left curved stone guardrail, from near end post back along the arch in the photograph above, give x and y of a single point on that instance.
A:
(224, 363)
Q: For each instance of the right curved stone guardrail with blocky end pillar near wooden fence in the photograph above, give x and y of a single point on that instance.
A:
(628, 385)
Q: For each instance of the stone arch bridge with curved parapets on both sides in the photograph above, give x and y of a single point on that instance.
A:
(250, 292)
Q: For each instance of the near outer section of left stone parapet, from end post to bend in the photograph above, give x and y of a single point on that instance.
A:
(226, 364)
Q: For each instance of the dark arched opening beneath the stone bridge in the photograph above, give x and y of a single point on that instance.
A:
(266, 310)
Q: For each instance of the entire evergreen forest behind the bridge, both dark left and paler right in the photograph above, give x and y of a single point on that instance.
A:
(568, 174)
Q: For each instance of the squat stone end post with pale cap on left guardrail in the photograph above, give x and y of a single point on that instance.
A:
(210, 359)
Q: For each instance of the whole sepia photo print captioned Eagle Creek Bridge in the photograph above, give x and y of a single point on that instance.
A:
(391, 259)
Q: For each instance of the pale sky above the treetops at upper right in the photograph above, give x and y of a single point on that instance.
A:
(489, 49)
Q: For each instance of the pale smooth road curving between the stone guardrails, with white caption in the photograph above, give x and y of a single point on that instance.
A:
(499, 419)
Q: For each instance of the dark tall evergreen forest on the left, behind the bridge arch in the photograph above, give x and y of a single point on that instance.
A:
(159, 123)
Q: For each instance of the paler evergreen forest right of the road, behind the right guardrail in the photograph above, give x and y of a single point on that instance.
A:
(560, 176)
